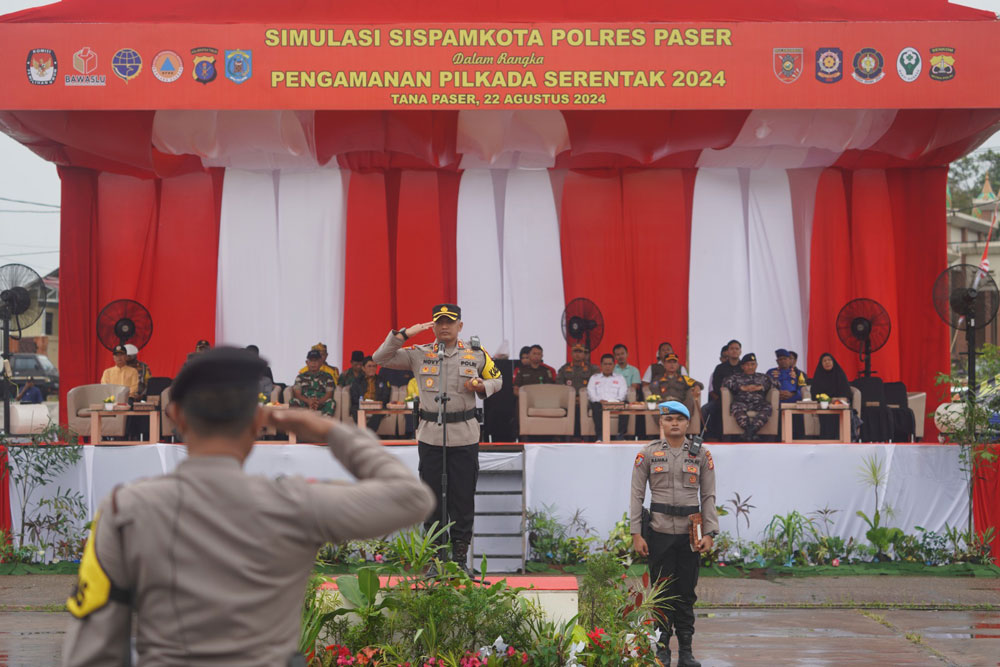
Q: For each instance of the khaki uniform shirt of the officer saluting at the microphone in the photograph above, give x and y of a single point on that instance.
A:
(447, 374)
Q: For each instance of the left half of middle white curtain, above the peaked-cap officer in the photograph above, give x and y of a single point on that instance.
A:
(477, 246)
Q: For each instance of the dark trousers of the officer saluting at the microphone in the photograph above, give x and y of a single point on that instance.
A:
(463, 473)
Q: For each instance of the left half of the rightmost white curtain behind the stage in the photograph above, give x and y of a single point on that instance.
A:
(719, 286)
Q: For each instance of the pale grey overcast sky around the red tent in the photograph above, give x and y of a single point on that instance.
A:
(33, 238)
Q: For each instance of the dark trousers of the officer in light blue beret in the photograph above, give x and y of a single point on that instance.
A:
(671, 558)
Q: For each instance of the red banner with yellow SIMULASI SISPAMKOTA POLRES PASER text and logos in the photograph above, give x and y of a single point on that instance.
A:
(464, 66)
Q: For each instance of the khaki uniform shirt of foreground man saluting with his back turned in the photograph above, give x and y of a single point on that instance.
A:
(218, 560)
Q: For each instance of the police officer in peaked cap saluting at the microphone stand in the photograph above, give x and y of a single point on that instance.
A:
(462, 370)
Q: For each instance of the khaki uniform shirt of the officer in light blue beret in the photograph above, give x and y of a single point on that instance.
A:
(675, 478)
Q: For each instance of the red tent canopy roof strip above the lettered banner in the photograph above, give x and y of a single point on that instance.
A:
(391, 11)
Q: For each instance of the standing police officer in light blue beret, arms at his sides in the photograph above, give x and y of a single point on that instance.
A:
(681, 483)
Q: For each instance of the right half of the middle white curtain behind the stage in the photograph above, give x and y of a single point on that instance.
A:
(532, 264)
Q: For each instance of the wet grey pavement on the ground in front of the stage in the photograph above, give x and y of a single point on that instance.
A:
(823, 630)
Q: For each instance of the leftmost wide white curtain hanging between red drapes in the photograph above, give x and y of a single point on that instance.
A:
(281, 265)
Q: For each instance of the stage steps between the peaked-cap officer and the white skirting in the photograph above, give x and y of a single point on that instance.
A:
(500, 518)
